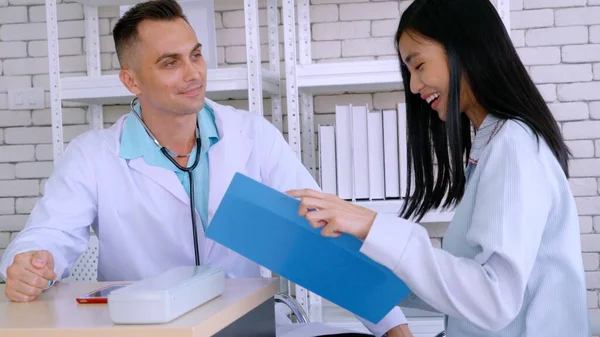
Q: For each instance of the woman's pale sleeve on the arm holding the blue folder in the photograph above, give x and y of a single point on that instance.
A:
(512, 204)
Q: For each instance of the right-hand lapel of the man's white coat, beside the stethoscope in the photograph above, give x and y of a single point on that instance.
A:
(227, 157)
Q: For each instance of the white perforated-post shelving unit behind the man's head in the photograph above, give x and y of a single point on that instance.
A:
(251, 81)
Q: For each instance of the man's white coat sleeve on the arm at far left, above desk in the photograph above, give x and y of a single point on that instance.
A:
(60, 220)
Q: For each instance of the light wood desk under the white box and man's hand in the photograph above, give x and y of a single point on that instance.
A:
(246, 305)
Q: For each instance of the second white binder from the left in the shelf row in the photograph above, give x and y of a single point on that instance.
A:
(343, 146)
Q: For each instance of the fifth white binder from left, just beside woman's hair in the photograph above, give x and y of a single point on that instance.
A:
(390, 153)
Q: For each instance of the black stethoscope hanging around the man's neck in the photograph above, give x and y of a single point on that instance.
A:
(170, 155)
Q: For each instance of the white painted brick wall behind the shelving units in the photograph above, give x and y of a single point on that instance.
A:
(558, 40)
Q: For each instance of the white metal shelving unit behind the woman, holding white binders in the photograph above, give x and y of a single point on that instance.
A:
(305, 79)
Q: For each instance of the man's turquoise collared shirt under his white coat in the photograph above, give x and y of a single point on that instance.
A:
(135, 142)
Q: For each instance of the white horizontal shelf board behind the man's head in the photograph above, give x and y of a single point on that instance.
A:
(222, 84)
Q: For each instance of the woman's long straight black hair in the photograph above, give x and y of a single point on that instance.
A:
(479, 48)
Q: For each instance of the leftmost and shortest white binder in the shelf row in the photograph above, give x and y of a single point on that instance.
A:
(327, 159)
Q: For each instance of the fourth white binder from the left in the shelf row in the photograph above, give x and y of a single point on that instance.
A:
(375, 144)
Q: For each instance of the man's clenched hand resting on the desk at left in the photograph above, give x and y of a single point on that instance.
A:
(29, 275)
